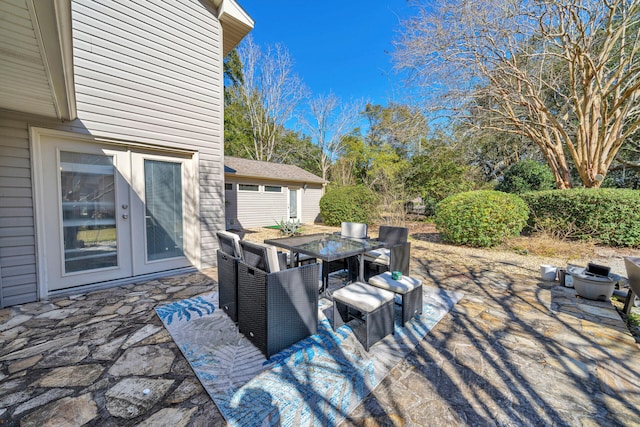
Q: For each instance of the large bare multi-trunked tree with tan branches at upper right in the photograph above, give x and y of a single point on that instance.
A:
(563, 73)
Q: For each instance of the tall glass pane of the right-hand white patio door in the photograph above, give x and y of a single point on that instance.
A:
(163, 209)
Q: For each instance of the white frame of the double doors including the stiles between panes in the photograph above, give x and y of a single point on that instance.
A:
(138, 152)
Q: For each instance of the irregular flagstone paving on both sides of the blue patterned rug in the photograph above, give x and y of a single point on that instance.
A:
(514, 351)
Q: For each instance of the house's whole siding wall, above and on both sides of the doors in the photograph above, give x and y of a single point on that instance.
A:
(148, 74)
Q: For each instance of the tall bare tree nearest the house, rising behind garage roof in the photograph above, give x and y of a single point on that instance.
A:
(270, 92)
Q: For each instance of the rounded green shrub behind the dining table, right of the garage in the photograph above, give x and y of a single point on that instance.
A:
(348, 204)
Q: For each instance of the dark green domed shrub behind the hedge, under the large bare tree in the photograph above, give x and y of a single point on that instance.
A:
(527, 175)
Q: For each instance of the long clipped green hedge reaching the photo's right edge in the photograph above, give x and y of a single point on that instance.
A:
(608, 215)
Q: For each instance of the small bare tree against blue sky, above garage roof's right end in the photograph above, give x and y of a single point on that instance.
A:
(329, 121)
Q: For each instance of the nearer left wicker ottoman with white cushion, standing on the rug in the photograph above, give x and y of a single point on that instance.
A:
(373, 305)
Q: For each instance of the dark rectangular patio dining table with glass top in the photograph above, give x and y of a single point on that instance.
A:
(327, 247)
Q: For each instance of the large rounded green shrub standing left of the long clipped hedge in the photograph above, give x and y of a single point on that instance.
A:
(480, 218)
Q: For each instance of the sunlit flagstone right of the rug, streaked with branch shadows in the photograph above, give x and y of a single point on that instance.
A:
(514, 351)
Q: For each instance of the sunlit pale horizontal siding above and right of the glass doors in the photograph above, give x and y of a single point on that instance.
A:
(151, 72)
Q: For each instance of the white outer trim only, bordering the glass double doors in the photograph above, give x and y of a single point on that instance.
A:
(36, 134)
